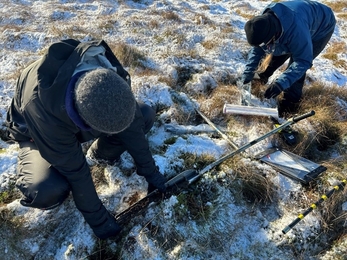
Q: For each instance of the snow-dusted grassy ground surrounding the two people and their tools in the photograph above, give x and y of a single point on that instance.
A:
(205, 39)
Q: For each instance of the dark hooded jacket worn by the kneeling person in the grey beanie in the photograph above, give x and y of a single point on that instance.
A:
(38, 113)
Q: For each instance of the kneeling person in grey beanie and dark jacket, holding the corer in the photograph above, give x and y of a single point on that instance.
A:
(75, 93)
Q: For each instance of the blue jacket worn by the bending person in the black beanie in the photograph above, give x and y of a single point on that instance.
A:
(302, 23)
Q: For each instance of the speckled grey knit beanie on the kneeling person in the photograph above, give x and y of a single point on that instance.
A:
(105, 101)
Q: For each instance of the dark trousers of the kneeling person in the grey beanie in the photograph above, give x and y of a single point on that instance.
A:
(41, 184)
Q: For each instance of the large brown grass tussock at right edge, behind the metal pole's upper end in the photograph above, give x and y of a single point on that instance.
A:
(327, 129)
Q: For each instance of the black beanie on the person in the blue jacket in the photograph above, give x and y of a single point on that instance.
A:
(260, 29)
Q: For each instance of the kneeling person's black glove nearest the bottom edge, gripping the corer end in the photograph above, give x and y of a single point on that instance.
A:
(108, 229)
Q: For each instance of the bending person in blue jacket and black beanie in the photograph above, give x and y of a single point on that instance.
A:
(294, 30)
